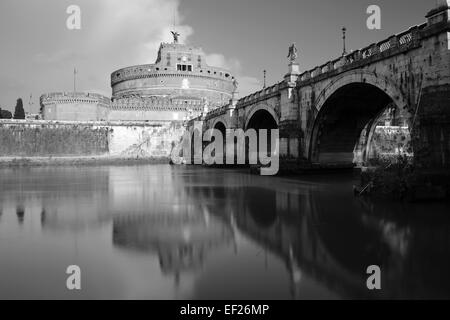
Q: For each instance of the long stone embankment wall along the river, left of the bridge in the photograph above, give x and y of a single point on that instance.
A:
(75, 139)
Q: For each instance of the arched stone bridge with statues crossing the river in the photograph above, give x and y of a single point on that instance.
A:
(323, 113)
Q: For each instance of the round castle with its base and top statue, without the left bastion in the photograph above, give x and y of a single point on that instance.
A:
(180, 78)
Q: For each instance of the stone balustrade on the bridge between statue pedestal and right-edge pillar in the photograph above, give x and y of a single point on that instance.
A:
(400, 41)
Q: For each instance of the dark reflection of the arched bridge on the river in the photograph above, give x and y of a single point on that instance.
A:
(312, 234)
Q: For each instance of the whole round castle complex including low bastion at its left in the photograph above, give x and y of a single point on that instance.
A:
(178, 85)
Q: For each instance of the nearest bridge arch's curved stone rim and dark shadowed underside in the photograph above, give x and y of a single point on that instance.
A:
(344, 108)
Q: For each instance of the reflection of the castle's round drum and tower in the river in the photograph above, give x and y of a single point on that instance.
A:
(181, 242)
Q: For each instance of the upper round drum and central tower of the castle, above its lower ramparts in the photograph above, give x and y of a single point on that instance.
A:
(180, 70)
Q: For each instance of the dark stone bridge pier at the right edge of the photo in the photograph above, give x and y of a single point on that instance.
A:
(431, 121)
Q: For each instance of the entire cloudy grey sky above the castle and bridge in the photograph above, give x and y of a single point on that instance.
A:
(38, 52)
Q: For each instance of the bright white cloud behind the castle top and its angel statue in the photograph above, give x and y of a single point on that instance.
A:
(131, 32)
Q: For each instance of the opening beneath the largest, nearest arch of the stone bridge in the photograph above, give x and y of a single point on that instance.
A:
(359, 125)
